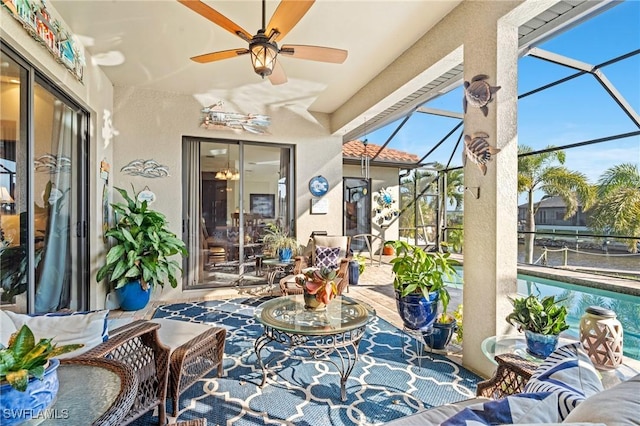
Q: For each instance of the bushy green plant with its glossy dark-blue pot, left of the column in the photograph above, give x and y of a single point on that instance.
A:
(419, 282)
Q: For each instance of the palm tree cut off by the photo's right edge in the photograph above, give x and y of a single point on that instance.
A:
(617, 209)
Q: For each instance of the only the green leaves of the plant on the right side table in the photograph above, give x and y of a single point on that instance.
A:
(544, 316)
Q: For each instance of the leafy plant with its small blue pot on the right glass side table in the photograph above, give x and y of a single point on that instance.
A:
(542, 319)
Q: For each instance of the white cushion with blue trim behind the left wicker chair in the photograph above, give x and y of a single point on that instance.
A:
(88, 328)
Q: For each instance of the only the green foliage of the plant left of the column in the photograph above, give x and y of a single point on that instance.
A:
(416, 271)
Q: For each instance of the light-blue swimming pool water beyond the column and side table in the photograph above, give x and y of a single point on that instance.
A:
(577, 298)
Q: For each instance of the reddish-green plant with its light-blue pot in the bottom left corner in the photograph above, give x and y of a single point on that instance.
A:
(28, 375)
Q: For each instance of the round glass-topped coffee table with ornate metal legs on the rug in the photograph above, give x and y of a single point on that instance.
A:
(336, 330)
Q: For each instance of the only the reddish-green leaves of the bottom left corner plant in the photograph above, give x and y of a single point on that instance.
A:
(24, 357)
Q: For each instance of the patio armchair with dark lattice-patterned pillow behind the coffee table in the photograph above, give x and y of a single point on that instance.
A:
(322, 250)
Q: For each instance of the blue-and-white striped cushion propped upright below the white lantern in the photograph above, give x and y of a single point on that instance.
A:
(569, 372)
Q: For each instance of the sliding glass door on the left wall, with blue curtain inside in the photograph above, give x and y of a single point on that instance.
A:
(43, 182)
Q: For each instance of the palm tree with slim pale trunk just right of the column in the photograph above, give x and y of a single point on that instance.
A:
(545, 172)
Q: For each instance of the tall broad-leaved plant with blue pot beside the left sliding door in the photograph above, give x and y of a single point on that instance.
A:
(141, 255)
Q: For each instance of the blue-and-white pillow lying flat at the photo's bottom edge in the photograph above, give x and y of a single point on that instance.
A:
(519, 408)
